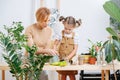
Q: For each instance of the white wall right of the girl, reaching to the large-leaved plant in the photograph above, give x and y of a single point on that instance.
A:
(94, 20)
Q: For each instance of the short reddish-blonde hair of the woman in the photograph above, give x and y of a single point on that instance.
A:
(42, 13)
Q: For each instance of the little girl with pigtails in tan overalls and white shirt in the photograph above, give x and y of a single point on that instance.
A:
(68, 41)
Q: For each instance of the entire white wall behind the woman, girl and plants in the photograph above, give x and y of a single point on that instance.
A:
(94, 18)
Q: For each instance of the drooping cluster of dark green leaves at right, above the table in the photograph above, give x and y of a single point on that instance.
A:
(112, 50)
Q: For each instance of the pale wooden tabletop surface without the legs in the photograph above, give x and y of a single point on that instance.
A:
(4, 66)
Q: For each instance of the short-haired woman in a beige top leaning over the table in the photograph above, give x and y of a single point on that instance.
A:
(39, 34)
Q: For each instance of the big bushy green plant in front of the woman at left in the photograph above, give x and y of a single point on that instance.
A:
(13, 42)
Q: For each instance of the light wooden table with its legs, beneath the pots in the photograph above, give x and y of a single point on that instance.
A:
(104, 69)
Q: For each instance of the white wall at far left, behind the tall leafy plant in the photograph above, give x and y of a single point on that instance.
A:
(14, 10)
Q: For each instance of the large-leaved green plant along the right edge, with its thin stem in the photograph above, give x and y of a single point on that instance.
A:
(111, 47)
